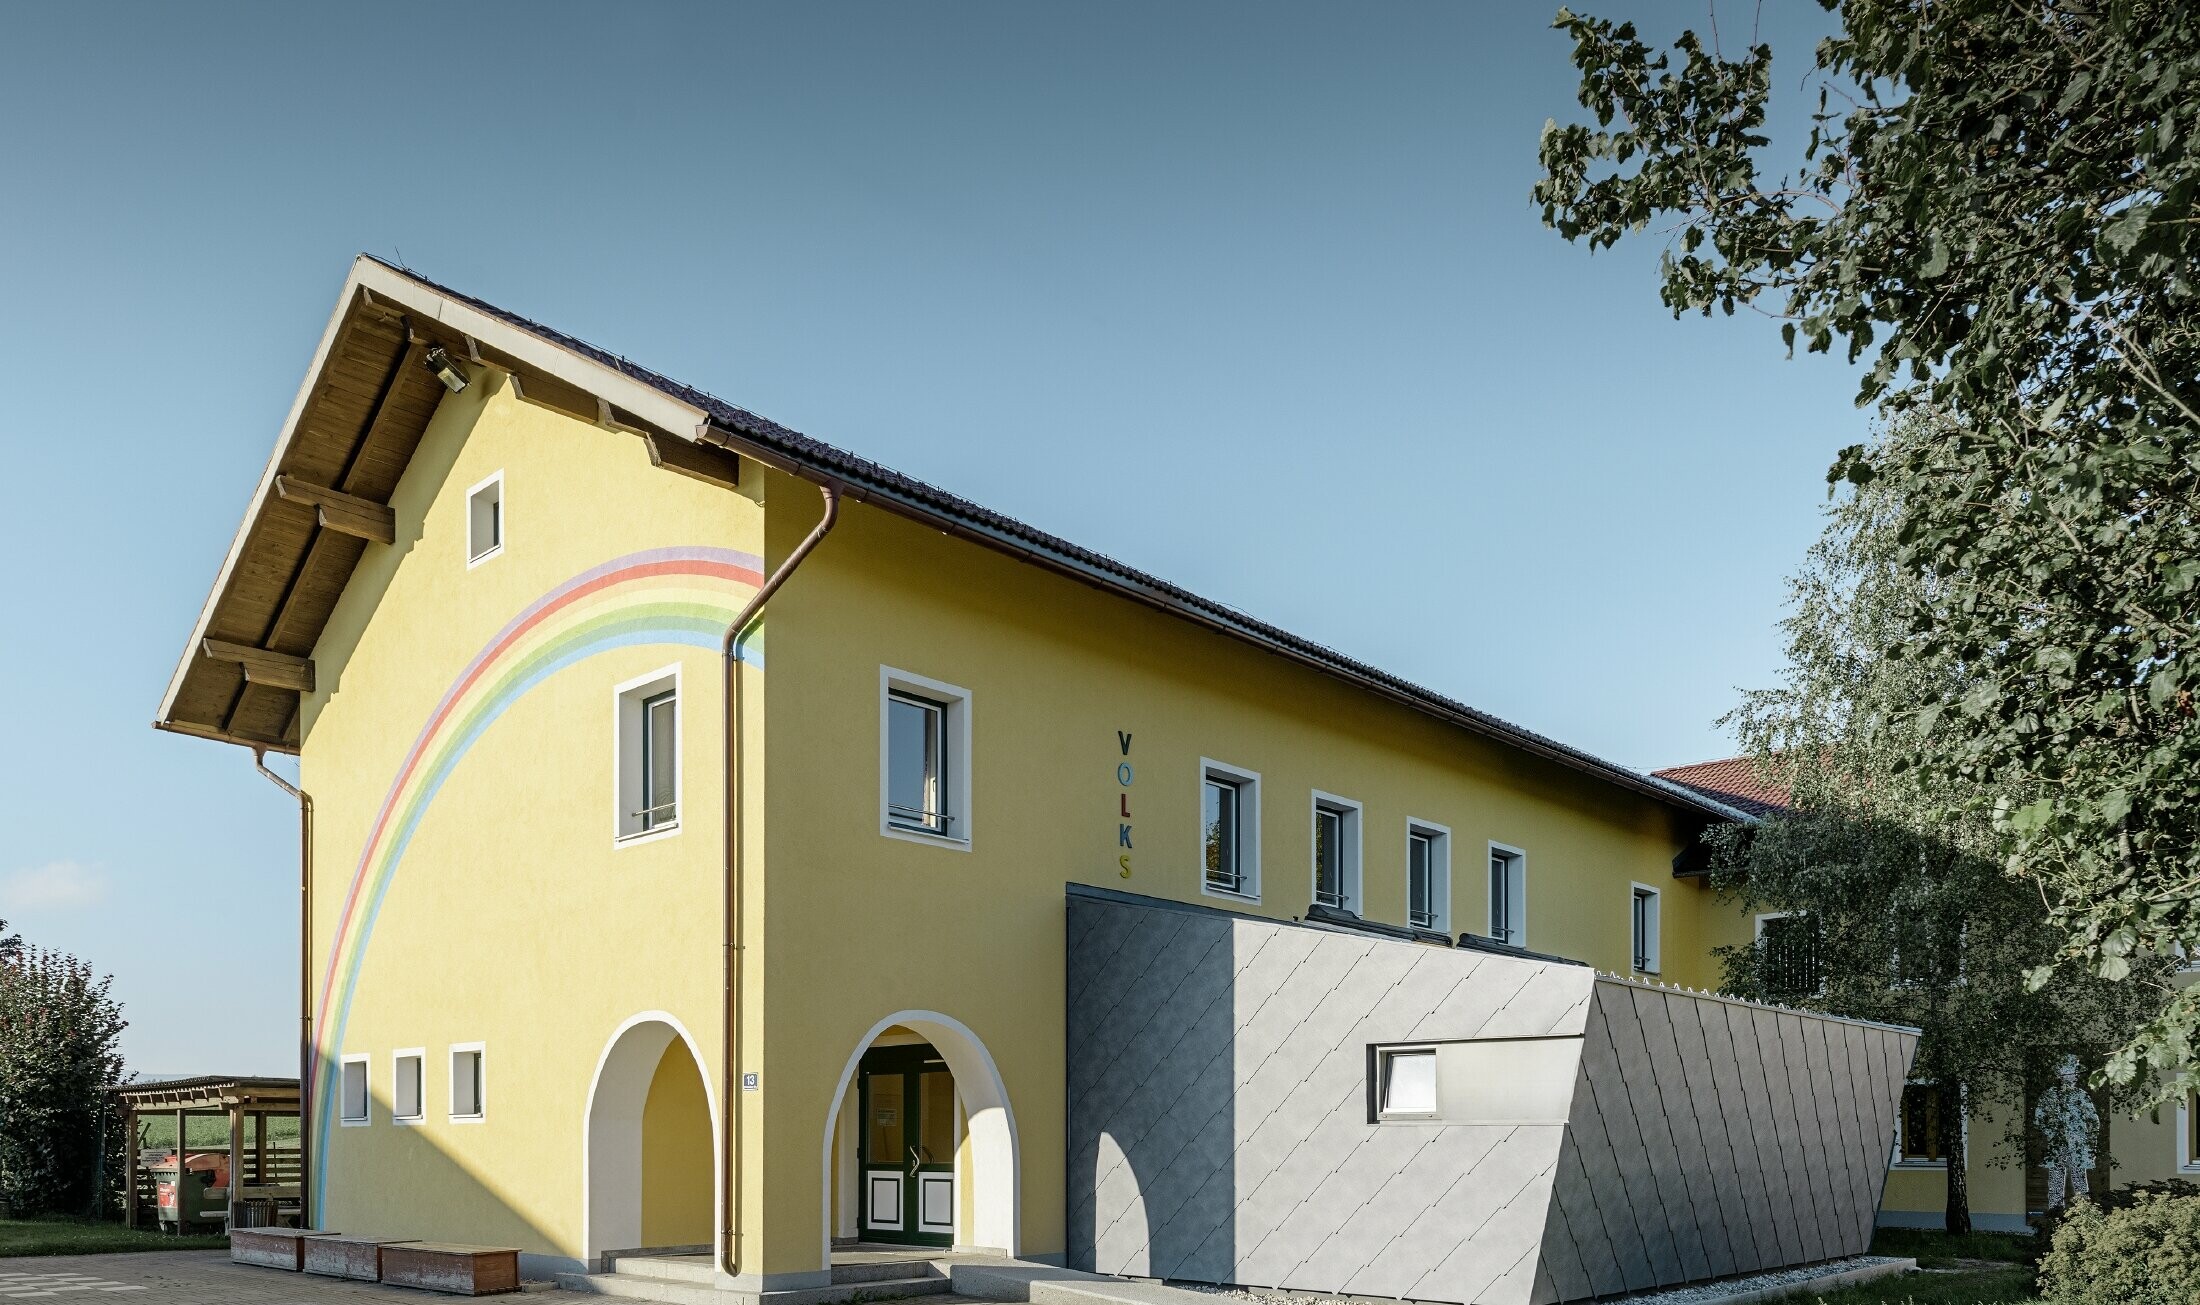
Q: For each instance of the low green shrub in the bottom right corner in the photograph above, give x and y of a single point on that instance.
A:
(2144, 1253)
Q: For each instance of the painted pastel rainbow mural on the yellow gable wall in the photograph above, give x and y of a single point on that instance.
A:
(679, 597)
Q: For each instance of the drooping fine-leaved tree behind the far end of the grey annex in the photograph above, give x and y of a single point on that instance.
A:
(1897, 873)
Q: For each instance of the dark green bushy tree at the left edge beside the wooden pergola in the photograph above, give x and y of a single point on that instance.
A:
(58, 1057)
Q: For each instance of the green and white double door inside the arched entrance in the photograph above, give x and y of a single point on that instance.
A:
(907, 1150)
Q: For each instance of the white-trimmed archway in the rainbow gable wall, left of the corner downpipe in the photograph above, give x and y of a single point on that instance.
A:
(650, 1150)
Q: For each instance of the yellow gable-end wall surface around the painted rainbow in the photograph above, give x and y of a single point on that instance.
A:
(511, 917)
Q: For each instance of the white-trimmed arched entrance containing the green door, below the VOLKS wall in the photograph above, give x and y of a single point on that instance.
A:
(914, 1086)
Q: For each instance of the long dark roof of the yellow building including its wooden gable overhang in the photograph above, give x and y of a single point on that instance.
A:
(366, 404)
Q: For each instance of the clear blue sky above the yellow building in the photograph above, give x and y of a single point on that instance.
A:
(1248, 296)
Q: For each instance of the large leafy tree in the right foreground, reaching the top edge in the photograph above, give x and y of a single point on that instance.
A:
(1994, 210)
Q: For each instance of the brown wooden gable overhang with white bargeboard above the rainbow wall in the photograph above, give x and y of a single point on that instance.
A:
(324, 496)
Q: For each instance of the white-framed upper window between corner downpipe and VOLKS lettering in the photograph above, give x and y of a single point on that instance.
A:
(923, 760)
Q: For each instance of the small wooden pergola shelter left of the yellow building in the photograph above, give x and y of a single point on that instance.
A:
(256, 1172)
